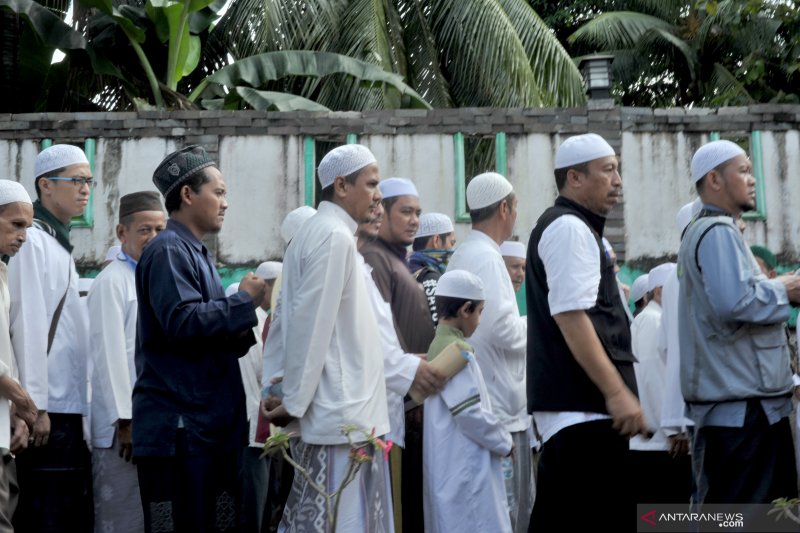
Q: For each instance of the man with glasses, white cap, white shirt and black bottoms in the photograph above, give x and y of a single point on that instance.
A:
(49, 334)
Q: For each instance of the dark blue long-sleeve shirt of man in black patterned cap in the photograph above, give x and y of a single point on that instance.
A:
(189, 338)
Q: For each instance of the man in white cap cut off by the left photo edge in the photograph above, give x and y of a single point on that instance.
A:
(17, 409)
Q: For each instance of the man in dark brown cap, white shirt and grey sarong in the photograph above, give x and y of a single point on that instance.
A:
(113, 312)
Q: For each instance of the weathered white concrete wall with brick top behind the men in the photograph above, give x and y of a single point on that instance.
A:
(267, 160)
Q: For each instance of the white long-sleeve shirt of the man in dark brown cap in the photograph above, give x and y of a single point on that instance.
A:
(113, 312)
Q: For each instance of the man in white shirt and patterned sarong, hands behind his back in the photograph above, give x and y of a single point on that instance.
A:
(333, 373)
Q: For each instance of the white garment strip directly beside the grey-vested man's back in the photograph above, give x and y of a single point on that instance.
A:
(673, 407)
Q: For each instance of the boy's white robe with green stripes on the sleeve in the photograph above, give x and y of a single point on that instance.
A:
(463, 485)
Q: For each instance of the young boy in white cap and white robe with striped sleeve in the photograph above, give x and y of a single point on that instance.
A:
(463, 486)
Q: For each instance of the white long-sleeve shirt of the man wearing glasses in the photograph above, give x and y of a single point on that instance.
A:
(38, 276)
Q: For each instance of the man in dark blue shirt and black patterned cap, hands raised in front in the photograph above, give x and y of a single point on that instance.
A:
(189, 414)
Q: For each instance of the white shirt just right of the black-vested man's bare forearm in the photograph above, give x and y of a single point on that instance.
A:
(650, 376)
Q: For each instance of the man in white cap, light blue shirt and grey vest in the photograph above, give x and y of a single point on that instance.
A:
(734, 358)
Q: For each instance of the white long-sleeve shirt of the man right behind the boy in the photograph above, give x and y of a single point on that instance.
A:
(502, 336)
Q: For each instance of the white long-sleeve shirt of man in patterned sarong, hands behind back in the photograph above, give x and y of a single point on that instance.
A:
(333, 354)
